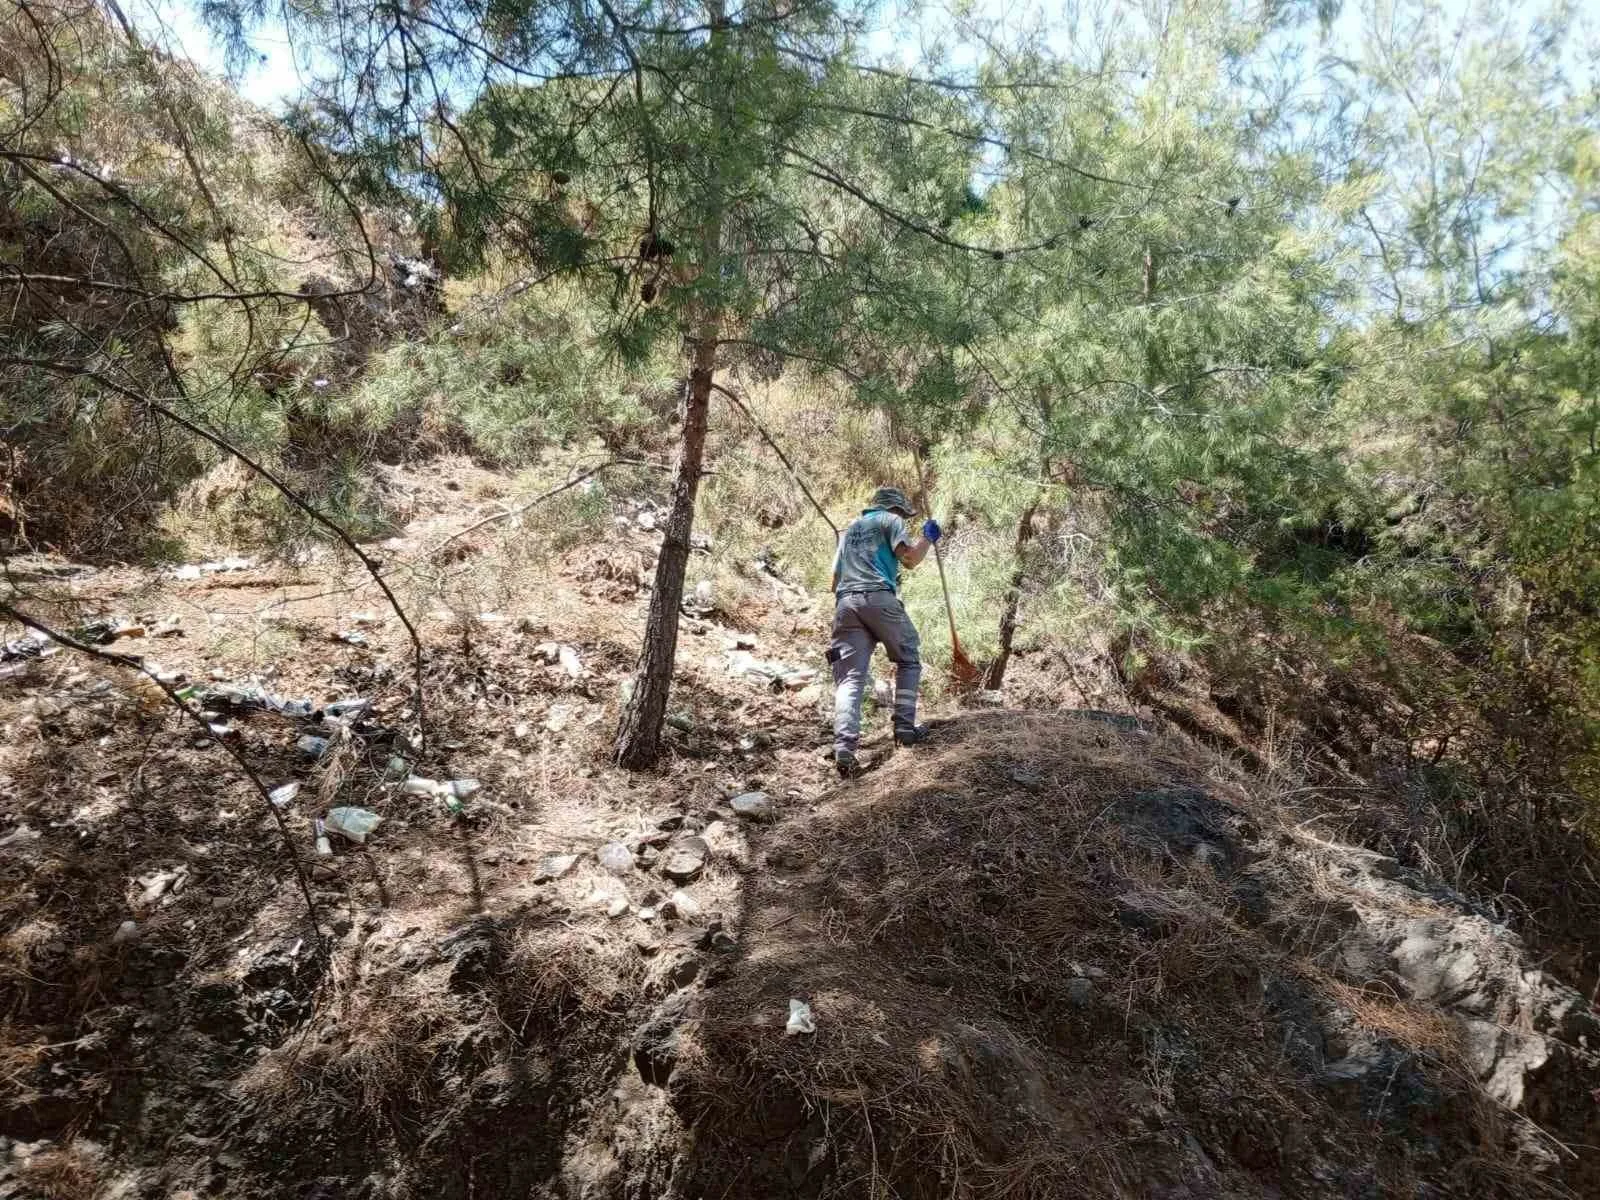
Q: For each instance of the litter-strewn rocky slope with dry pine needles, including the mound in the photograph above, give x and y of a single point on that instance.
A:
(1057, 953)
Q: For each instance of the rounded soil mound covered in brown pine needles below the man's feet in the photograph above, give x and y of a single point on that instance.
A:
(1055, 958)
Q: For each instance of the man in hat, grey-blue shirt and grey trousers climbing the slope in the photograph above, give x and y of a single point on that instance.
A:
(868, 612)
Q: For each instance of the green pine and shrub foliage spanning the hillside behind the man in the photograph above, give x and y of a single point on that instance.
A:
(1220, 321)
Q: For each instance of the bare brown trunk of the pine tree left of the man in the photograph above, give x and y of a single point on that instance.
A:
(639, 737)
